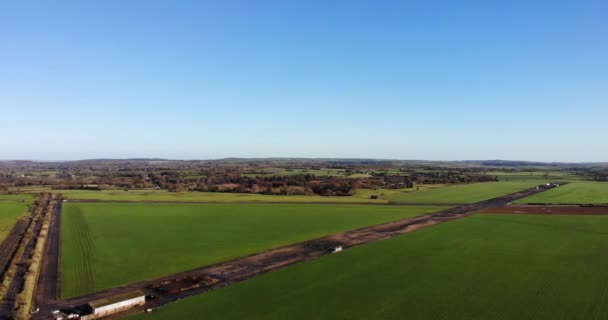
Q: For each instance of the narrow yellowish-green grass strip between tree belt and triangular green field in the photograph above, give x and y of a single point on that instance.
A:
(163, 195)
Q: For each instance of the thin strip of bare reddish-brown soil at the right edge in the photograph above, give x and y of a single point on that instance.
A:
(550, 210)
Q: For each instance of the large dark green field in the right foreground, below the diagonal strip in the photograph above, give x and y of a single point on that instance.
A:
(481, 267)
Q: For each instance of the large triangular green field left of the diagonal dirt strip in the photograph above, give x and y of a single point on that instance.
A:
(106, 245)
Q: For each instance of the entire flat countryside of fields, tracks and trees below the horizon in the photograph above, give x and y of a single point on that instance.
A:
(177, 254)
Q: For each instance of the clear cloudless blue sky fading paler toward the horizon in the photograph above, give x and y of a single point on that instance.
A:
(525, 80)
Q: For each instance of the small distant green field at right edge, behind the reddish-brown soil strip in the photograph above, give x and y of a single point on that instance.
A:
(574, 193)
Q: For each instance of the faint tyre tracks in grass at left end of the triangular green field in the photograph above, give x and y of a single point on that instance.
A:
(82, 278)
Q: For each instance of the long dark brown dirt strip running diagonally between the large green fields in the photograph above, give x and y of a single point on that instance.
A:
(243, 268)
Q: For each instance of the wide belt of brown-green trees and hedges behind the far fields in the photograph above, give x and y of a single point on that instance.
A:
(229, 177)
